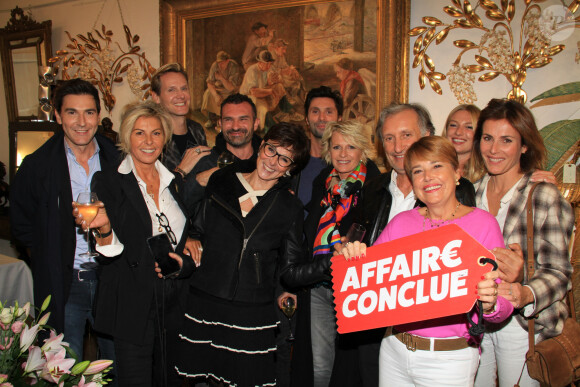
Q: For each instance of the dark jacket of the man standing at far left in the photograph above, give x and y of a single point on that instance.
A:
(41, 218)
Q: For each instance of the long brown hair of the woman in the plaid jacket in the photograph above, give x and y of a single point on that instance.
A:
(522, 120)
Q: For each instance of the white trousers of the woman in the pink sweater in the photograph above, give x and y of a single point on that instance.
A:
(399, 367)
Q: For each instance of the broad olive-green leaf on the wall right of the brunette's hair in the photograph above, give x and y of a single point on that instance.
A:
(559, 137)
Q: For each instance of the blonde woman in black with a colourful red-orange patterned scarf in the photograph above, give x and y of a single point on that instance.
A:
(336, 191)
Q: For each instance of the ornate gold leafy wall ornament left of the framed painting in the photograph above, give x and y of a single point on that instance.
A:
(95, 59)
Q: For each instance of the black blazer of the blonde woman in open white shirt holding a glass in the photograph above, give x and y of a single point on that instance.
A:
(126, 294)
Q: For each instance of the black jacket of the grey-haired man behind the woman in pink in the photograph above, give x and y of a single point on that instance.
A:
(374, 212)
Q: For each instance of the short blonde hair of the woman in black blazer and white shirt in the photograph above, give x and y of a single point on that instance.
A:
(137, 110)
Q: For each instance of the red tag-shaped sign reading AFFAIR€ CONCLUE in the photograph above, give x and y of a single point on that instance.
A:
(420, 277)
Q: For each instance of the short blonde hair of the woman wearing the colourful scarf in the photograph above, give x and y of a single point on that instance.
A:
(354, 133)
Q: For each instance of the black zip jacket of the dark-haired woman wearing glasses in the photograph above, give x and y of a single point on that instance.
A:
(243, 256)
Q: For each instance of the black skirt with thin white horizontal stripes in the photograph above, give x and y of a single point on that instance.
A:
(228, 341)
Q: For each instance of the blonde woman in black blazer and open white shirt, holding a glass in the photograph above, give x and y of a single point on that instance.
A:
(139, 201)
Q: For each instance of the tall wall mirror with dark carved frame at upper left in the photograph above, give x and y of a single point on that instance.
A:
(24, 46)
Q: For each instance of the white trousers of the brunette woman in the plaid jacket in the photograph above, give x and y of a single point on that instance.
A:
(503, 352)
